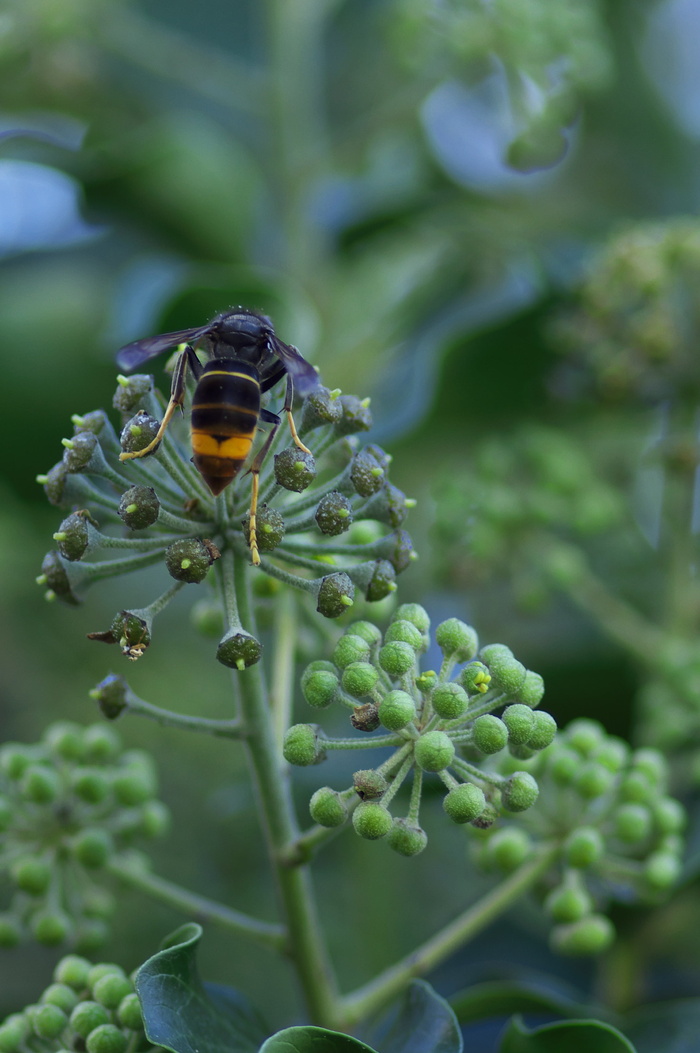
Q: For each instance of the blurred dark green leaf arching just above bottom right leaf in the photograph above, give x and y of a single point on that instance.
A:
(507, 998)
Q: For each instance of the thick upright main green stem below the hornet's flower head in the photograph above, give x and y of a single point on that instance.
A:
(306, 942)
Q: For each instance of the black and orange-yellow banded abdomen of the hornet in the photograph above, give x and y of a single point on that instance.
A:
(225, 416)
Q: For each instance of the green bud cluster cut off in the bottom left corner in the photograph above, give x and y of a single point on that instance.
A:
(87, 1007)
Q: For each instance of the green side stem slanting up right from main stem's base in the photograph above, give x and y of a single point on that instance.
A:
(388, 985)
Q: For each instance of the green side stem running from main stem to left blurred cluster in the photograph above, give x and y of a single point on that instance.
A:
(199, 907)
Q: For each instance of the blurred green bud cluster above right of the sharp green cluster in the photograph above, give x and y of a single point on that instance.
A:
(525, 493)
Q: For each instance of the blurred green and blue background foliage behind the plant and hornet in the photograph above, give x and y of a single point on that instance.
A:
(483, 215)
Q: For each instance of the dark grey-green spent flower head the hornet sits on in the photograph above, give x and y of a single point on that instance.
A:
(157, 510)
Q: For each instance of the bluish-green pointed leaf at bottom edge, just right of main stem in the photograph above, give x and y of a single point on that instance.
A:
(422, 1022)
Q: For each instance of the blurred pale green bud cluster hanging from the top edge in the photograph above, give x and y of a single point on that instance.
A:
(526, 37)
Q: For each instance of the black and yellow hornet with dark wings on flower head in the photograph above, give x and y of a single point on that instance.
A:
(246, 360)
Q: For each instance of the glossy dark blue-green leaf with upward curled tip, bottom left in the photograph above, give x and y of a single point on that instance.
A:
(183, 1015)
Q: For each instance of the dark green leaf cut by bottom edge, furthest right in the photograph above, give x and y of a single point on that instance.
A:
(574, 1037)
